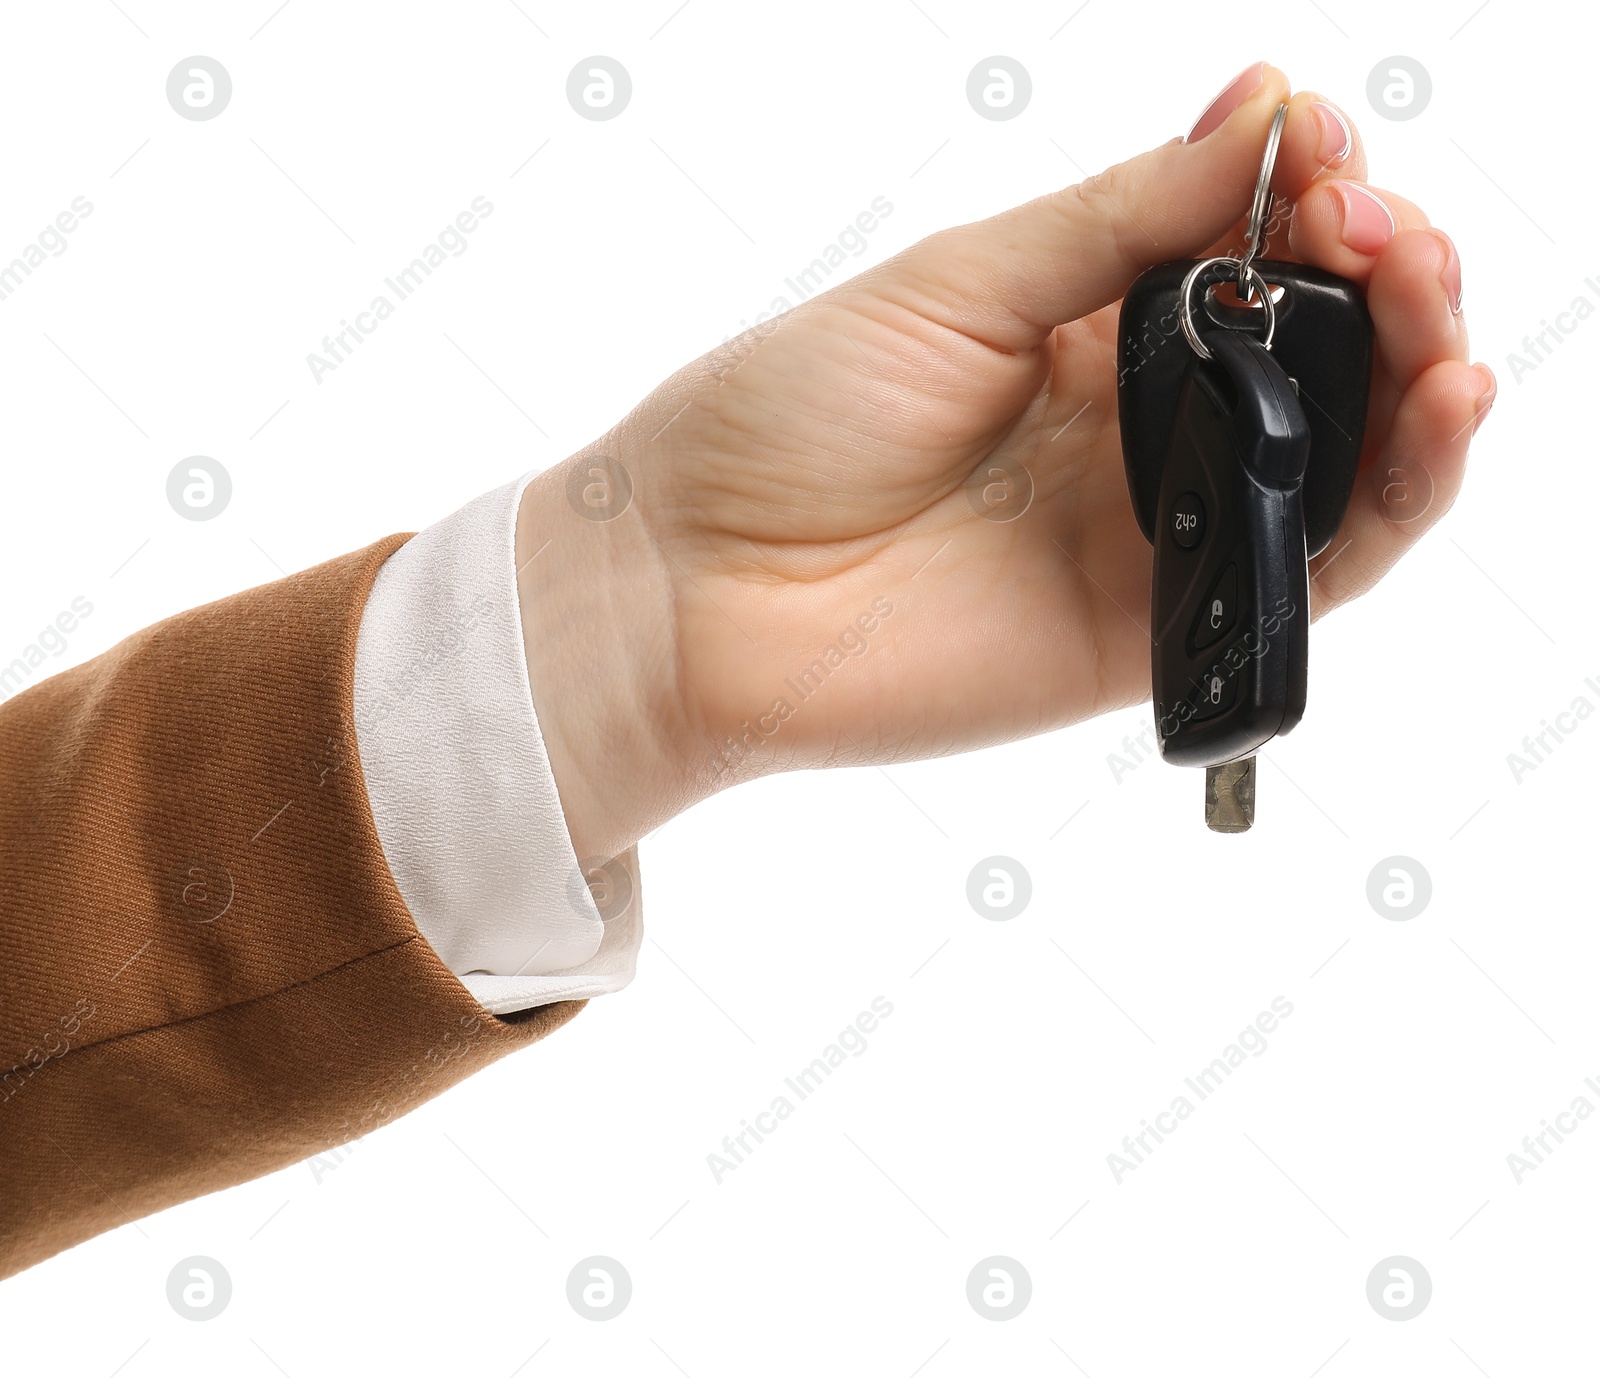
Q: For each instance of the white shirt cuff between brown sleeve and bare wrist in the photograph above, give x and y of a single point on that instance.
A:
(458, 779)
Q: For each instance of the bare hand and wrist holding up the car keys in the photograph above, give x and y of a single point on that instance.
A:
(801, 577)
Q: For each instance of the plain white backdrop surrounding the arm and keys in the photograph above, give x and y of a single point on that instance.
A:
(1018, 1054)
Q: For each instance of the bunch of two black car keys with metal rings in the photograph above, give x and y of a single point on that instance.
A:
(1177, 387)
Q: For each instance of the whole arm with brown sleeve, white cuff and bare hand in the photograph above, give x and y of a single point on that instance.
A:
(212, 967)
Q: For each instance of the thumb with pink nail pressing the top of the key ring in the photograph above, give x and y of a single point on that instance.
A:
(1012, 279)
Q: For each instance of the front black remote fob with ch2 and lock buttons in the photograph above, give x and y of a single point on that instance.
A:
(1230, 599)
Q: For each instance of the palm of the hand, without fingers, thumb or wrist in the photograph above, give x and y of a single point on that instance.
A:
(833, 468)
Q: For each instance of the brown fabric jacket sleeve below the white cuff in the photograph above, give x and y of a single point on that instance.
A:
(206, 967)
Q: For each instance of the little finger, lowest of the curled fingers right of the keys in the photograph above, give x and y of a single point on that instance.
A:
(1412, 484)
